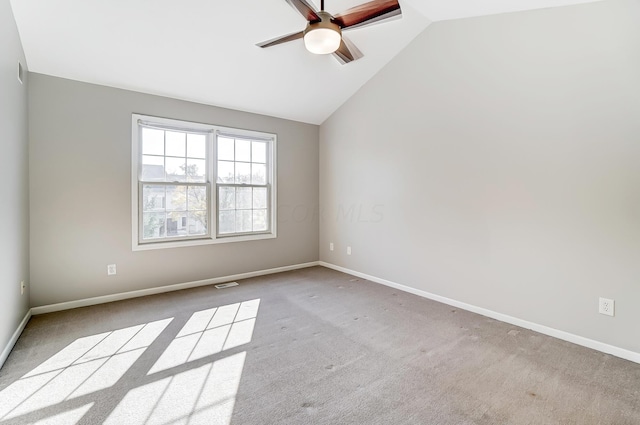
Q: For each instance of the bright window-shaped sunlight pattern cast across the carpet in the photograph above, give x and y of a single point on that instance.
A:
(72, 383)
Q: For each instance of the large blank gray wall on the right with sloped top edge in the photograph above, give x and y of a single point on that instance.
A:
(495, 161)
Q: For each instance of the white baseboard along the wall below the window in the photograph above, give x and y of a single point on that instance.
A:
(162, 289)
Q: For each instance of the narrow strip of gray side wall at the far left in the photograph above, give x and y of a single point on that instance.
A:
(14, 213)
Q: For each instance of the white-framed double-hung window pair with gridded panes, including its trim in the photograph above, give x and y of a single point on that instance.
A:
(196, 183)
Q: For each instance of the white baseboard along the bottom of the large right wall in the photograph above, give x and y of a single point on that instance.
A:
(566, 336)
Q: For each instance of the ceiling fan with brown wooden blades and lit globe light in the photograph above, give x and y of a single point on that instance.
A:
(323, 34)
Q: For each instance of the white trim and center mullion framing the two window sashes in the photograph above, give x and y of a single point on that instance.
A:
(212, 237)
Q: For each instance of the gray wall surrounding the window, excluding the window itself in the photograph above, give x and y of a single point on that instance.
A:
(80, 162)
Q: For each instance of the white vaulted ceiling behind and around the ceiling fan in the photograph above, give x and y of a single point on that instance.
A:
(204, 50)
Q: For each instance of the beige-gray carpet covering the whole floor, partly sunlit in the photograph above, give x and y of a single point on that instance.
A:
(312, 346)
